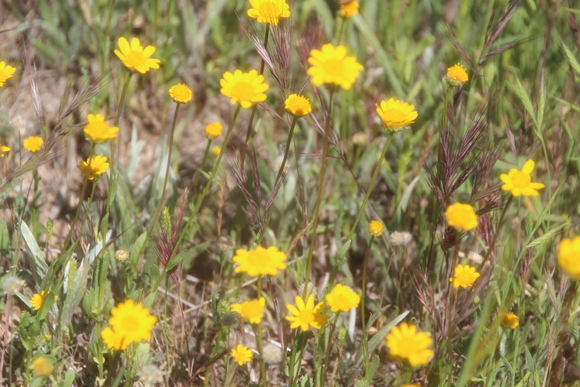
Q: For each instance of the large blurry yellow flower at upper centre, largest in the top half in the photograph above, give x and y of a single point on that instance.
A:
(331, 65)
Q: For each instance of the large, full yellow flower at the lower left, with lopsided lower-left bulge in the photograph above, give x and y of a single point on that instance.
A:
(130, 323)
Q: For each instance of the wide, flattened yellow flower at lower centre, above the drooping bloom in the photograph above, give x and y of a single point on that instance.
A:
(260, 261)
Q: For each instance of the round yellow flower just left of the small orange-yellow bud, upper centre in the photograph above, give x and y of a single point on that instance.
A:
(244, 88)
